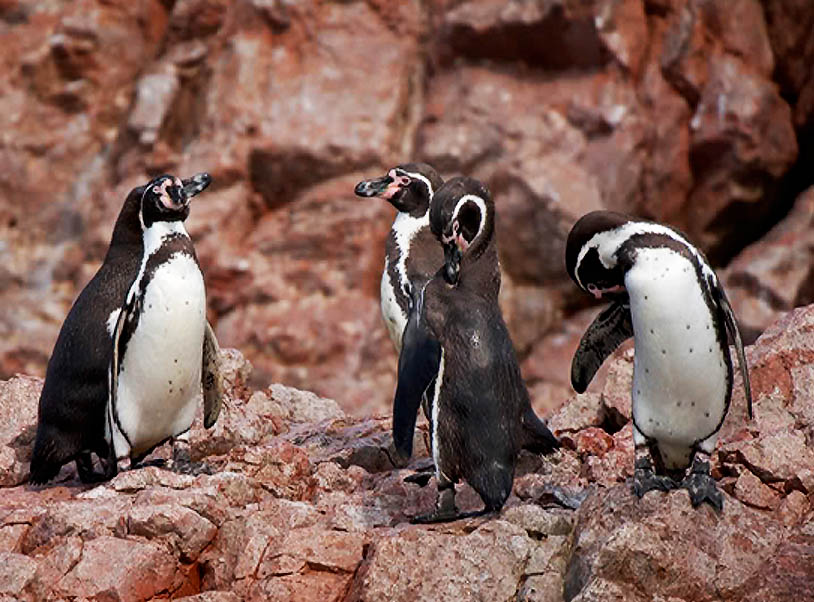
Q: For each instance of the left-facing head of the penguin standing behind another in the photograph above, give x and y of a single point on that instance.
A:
(408, 187)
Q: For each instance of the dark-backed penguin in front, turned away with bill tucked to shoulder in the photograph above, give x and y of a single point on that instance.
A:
(481, 416)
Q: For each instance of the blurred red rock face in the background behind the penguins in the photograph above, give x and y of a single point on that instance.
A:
(685, 111)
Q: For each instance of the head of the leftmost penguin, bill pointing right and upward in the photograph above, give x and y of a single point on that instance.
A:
(166, 198)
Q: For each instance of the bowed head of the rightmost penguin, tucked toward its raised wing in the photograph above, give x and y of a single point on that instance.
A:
(591, 252)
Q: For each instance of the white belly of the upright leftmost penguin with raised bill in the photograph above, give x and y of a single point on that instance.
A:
(160, 373)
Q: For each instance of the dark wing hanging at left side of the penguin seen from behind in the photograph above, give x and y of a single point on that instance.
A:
(418, 366)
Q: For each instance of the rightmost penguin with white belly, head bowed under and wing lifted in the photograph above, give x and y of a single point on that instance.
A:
(665, 295)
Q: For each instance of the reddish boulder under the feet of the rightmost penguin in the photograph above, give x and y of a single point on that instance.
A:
(661, 546)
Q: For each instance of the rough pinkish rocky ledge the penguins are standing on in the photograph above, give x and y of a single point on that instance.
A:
(304, 503)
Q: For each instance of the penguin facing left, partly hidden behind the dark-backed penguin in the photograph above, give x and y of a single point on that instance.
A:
(412, 255)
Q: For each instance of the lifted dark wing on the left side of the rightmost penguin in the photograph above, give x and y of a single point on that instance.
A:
(610, 329)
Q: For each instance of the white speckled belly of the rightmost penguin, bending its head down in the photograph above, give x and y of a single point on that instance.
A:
(680, 373)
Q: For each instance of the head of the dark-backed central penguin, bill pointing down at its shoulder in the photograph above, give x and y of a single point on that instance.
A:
(462, 217)
